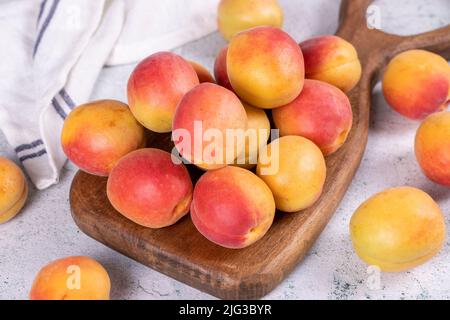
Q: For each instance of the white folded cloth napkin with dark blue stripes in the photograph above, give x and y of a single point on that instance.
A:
(51, 53)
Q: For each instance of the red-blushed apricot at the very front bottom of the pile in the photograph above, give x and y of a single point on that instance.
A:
(232, 207)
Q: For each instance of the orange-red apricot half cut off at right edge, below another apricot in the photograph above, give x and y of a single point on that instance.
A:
(433, 147)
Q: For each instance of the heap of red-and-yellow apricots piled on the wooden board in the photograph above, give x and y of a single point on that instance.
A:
(261, 72)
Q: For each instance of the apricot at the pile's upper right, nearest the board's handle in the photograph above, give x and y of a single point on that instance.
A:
(333, 60)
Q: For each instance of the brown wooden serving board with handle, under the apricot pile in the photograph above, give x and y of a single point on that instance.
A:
(181, 252)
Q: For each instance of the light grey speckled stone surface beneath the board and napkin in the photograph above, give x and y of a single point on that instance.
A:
(44, 230)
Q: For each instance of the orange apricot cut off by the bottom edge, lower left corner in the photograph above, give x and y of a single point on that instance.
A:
(71, 278)
